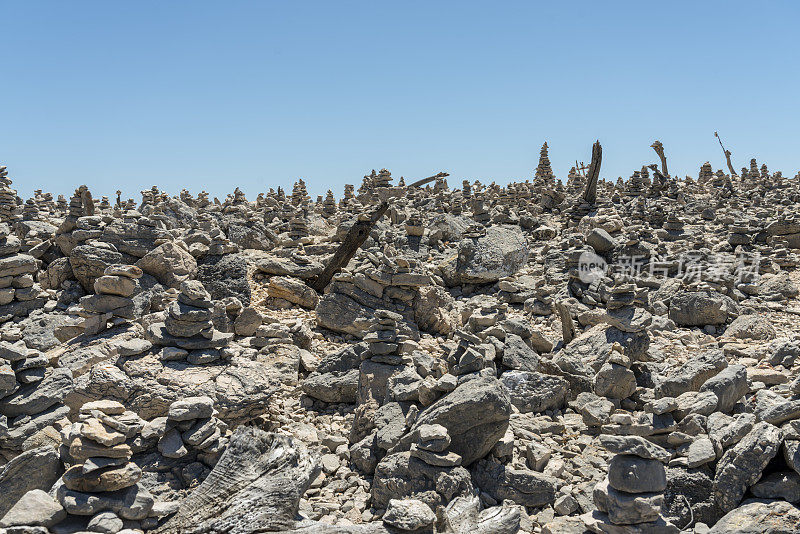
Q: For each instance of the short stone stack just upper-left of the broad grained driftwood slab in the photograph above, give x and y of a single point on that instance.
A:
(191, 427)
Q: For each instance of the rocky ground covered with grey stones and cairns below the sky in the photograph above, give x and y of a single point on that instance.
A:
(526, 358)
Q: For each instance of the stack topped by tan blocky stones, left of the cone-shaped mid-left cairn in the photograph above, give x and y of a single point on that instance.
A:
(113, 297)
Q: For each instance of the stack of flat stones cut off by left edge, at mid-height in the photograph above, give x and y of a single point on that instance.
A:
(17, 272)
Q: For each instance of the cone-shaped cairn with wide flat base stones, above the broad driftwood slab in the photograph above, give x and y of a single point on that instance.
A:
(188, 324)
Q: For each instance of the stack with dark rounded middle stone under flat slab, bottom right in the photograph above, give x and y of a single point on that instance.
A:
(630, 497)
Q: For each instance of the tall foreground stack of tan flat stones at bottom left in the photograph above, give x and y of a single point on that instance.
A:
(101, 477)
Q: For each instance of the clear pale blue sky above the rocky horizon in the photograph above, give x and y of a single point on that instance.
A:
(211, 95)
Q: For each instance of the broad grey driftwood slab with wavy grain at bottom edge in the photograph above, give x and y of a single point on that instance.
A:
(255, 487)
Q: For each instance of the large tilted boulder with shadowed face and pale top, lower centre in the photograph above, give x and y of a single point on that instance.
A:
(476, 416)
